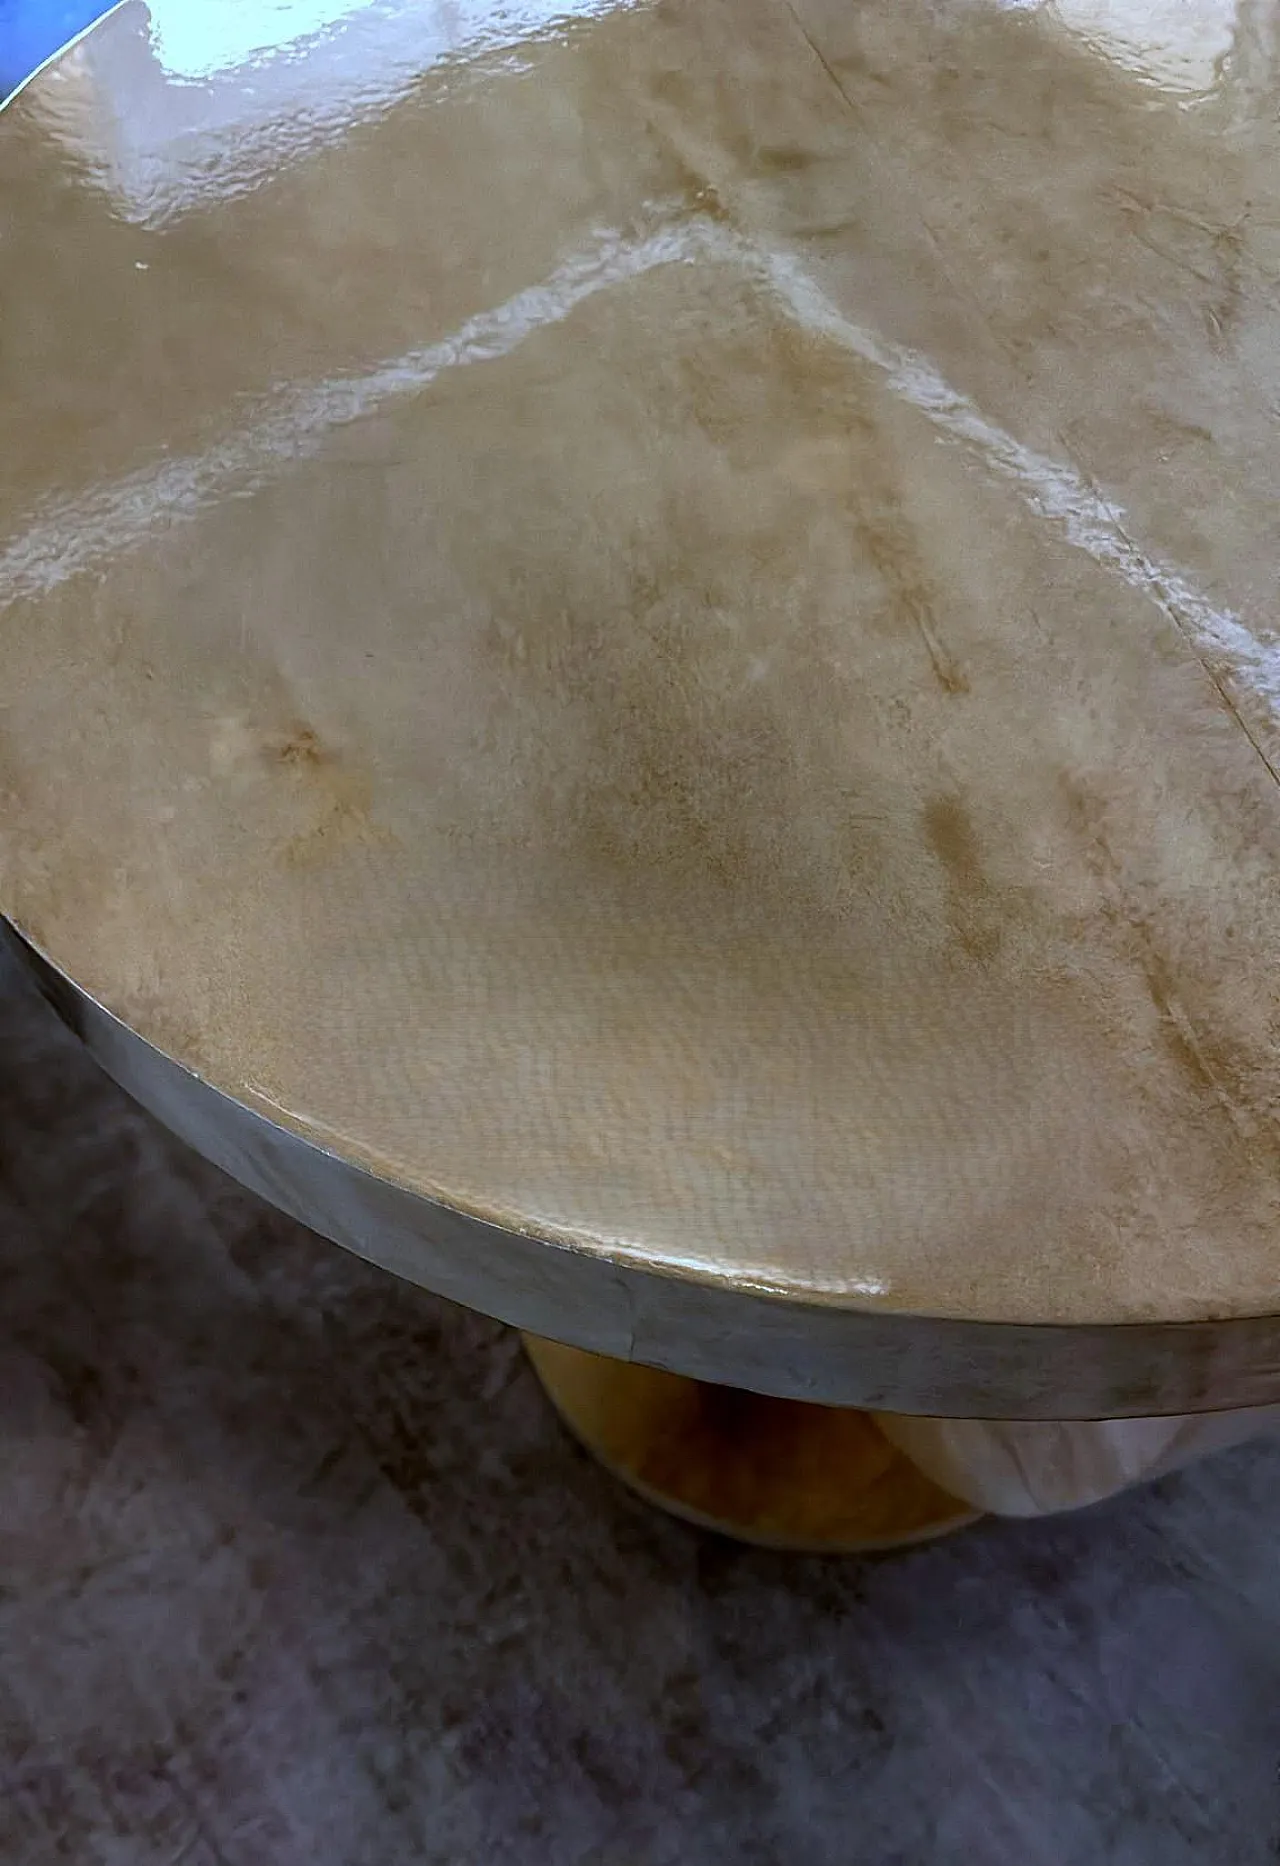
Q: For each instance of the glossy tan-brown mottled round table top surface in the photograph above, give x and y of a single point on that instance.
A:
(661, 626)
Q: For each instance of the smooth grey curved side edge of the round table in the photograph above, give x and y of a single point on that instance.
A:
(734, 1337)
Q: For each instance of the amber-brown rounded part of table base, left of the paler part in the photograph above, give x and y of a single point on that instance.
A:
(768, 1471)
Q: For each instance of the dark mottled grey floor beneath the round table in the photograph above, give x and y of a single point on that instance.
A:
(296, 1570)
